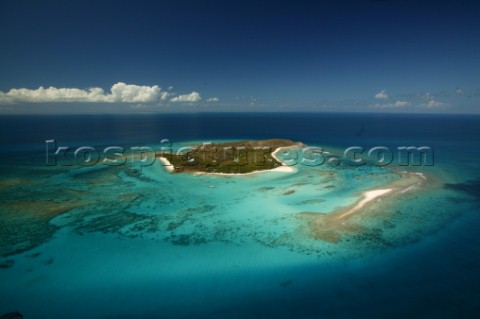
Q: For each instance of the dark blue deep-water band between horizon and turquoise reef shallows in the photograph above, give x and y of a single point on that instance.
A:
(331, 128)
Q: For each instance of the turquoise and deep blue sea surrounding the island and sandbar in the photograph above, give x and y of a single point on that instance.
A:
(135, 241)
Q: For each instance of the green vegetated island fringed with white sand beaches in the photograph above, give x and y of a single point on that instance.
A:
(242, 157)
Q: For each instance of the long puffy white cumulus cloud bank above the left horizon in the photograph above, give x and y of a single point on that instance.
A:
(119, 93)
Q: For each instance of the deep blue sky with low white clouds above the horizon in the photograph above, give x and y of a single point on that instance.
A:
(239, 56)
